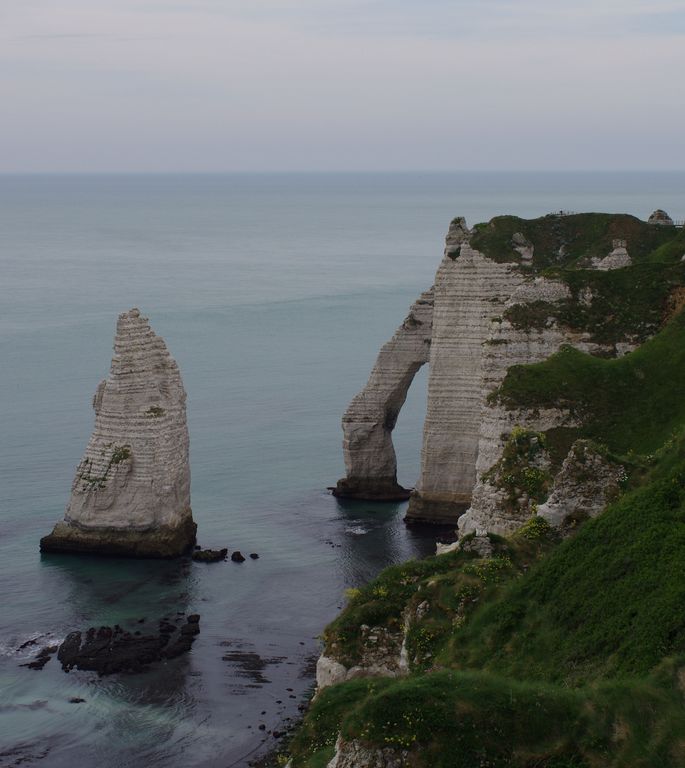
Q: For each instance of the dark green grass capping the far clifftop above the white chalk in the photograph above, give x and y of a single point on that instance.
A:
(610, 305)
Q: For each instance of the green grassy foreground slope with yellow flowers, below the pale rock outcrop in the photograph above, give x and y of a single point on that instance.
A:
(571, 658)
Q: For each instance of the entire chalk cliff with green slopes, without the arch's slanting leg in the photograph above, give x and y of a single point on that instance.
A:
(555, 439)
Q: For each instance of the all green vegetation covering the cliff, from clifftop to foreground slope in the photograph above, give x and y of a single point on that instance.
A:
(536, 651)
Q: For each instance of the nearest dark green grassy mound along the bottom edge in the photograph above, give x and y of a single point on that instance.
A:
(452, 719)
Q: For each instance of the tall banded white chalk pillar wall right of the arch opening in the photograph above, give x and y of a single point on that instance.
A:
(469, 290)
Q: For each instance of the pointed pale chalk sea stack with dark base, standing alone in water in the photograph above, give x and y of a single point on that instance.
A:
(131, 493)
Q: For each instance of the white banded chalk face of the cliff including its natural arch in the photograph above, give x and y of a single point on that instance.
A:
(487, 314)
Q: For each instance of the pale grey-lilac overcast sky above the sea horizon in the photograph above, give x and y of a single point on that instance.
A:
(319, 85)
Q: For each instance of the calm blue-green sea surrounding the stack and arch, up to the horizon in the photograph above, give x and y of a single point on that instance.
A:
(273, 293)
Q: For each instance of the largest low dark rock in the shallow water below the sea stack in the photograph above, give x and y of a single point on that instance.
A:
(111, 649)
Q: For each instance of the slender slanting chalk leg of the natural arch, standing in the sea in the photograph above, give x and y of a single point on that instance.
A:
(370, 460)
